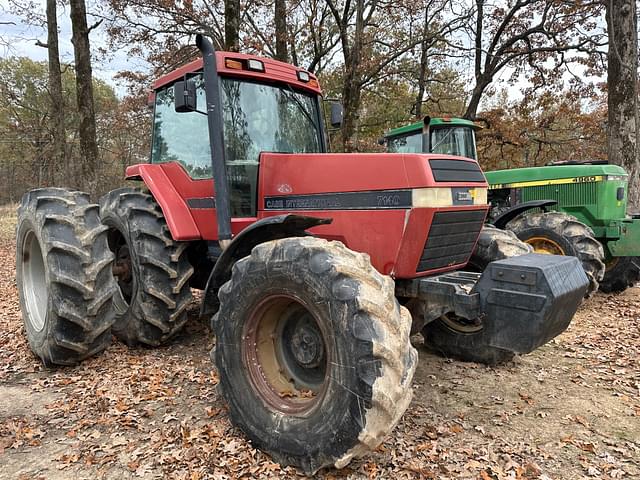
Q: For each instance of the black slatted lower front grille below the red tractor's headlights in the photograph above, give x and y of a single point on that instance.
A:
(451, 238)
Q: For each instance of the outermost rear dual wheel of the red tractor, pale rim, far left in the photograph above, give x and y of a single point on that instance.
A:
(63, 272)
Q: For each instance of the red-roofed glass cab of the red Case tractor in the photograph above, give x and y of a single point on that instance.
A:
(267, 106)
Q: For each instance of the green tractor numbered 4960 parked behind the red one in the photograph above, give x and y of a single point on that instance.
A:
(567, 208)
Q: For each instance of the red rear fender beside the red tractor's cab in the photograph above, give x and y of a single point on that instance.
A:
(174, 208)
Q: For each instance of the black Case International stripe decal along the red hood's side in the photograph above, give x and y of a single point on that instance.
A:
(388, 199)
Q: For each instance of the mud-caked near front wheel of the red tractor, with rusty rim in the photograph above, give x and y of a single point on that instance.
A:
(313, 352)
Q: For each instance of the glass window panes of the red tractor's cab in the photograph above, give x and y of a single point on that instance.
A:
(256, 118)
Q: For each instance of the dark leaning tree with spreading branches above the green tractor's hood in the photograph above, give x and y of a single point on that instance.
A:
(528, 33)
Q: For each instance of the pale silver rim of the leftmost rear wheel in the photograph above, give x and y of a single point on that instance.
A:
(35, 289)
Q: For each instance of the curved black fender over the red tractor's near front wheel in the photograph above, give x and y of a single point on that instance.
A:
(265, 230)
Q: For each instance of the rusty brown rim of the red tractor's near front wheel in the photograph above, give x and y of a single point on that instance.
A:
(285, 354)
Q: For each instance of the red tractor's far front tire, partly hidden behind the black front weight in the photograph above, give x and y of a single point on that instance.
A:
(463, 339)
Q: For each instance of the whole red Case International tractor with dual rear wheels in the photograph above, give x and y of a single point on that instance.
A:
(305, 258)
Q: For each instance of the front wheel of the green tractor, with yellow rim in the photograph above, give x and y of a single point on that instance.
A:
(561, 234)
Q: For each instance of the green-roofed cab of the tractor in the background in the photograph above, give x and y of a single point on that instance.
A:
(446, 135)
